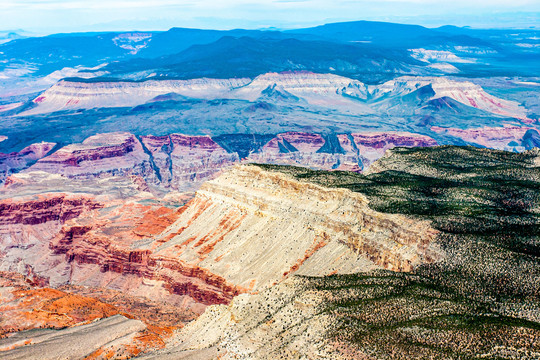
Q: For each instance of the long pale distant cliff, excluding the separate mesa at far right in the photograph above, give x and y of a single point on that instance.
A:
(288, 86)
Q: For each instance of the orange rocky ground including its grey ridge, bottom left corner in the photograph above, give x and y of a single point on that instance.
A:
(27, 305)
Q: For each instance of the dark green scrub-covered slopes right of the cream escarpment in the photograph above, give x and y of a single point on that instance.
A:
(482, 300)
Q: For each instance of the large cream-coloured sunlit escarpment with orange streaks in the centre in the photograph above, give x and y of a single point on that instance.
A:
(240, 226)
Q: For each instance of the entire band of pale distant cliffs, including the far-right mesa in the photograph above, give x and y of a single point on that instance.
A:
(327, 90)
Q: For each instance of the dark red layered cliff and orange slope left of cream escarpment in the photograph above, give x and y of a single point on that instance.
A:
(109, 245)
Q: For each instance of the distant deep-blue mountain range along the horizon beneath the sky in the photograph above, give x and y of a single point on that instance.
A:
(341, 48)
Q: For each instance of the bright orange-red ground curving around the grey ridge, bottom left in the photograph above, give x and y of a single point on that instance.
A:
(25, 306)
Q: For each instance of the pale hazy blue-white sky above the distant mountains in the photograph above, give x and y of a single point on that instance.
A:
(47, 16)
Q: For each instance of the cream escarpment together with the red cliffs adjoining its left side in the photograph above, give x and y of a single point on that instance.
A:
(193, 255)
